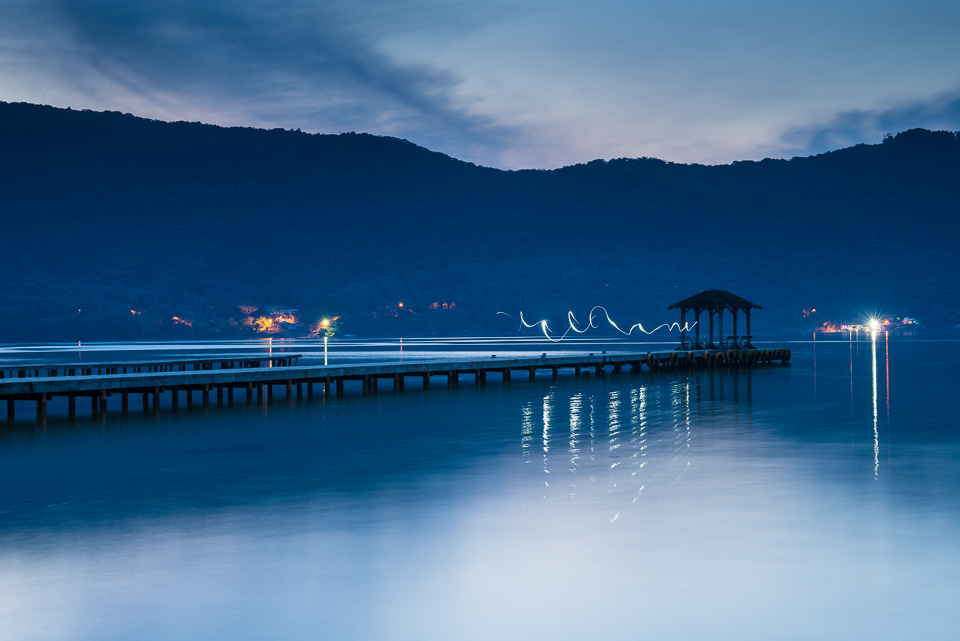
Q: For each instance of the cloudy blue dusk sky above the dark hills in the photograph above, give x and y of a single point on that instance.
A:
(506, 83)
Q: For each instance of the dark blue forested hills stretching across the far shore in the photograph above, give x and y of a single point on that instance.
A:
(113, 225)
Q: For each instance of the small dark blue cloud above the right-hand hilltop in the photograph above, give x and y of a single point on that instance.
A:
(853, 127)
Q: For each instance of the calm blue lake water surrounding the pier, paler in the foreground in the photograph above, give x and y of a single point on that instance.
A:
(815, 501)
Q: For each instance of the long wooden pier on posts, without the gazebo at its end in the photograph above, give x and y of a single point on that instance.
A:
(257, 376)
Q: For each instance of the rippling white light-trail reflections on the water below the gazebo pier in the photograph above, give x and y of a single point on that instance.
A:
(613, 435)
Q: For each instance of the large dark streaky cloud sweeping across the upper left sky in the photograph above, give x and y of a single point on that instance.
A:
(316, 65)
